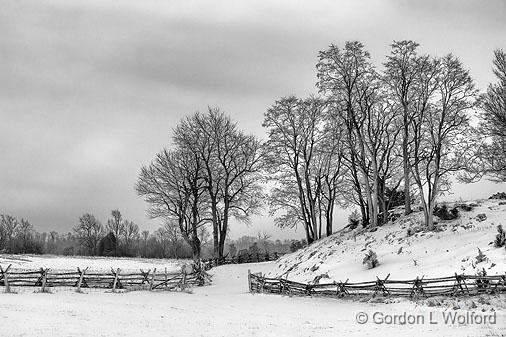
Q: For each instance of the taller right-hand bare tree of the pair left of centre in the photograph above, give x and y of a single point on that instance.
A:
(231, 163)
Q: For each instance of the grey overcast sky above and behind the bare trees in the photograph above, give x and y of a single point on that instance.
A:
(90, 89)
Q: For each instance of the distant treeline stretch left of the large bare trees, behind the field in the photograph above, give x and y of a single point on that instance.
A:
(118, 237)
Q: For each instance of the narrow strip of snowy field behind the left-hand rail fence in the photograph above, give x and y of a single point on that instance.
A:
(34, 262)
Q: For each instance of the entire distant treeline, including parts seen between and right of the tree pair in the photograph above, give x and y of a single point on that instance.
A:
(121, 237)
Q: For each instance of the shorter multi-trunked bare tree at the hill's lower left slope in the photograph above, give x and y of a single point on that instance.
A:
(303, 161)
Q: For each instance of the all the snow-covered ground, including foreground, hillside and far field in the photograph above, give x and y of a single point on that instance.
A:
(225, 308)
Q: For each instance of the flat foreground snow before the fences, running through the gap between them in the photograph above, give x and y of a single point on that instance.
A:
(222, 309)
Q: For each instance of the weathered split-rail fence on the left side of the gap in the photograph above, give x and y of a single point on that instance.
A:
(115, 279)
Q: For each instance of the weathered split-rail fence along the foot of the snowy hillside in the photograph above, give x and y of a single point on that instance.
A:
(419, 287)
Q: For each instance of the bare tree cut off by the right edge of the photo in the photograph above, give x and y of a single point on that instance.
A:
(493, 125)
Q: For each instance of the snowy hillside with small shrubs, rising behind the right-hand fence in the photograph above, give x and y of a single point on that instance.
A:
(404, 249)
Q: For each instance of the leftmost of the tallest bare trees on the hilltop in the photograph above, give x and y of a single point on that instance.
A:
(352, 83)
